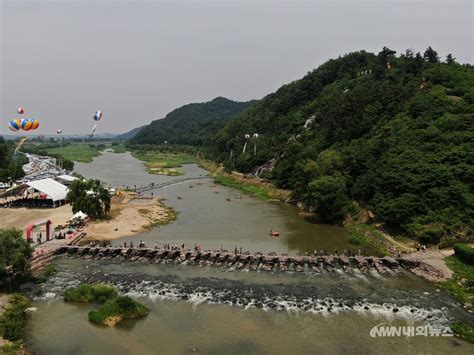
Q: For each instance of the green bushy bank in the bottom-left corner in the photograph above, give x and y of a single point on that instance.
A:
(13, 324)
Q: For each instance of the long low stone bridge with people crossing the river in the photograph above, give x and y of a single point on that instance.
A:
(256, 261)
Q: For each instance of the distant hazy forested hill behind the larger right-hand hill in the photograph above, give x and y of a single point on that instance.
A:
(192, 124)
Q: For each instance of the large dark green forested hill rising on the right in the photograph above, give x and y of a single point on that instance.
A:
(394, 133)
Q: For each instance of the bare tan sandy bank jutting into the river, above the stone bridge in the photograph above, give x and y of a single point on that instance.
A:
(129, 218)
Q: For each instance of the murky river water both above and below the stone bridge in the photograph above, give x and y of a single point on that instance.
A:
(221, 311)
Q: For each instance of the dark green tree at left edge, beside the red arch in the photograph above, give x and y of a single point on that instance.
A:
(15, 254)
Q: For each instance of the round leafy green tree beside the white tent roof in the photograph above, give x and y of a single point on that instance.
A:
(90, 197)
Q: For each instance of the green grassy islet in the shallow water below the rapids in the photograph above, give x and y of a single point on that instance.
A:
(113, 308)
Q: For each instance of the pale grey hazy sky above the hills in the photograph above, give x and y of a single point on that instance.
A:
(137, 60)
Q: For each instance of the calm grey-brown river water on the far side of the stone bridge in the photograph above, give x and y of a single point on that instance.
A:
(207, 217)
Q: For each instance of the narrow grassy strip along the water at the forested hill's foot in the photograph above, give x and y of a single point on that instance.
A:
(252, 186)
